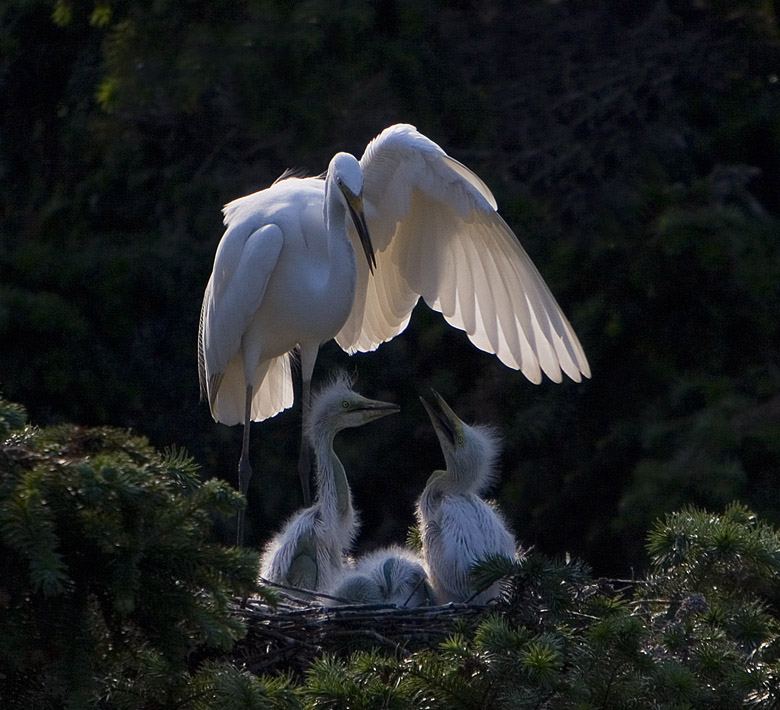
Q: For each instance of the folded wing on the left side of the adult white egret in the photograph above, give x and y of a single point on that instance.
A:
(245, 258)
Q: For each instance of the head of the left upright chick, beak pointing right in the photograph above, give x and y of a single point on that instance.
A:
(337, 406)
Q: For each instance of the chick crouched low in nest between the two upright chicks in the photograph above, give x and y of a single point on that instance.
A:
(390, 575)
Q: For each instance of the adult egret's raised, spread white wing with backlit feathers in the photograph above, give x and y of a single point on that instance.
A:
(437, 234)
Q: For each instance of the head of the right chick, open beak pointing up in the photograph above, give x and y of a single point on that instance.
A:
(470, 452)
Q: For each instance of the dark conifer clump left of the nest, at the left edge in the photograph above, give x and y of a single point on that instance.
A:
(107, 572)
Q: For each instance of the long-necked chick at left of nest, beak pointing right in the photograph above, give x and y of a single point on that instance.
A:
(310, 548)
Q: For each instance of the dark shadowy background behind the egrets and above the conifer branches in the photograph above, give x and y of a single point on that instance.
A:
(633, 146)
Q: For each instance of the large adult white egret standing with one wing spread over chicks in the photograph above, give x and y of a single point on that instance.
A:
(285, 275)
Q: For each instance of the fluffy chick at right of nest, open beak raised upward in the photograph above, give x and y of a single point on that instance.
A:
(457, 526)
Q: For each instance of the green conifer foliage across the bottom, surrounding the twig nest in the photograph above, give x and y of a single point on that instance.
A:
(112, 595)
